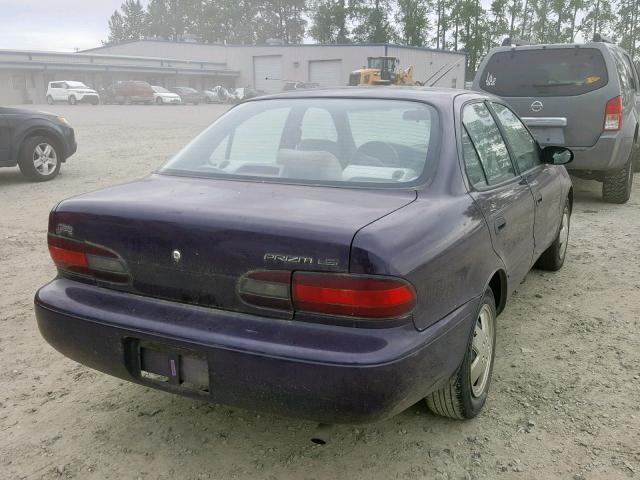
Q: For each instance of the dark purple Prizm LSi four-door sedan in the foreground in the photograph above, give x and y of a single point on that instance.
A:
(313, 262)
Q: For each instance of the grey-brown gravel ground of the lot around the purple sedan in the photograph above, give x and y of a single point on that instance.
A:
(564, 402)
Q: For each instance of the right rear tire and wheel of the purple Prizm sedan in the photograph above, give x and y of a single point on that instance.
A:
(461, 398)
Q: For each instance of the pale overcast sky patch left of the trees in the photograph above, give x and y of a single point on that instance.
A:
(55, 24)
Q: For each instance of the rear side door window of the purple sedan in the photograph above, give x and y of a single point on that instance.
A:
(489, 144)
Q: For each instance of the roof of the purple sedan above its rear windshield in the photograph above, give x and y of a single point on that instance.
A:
(438, 96)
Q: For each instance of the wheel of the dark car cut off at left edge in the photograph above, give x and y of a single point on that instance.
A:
(31, 159)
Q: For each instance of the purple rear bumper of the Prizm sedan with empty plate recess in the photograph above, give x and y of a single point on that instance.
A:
(318, 372)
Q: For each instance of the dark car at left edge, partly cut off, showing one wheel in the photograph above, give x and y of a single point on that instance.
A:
(38, 142)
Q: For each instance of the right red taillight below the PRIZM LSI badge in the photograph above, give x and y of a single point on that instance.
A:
(359, 296)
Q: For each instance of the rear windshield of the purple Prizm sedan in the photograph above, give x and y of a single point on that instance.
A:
(317, 141)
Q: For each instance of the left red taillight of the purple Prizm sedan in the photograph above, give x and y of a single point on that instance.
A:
(86, 259)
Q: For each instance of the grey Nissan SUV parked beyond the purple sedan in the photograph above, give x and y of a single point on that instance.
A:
(584, 96)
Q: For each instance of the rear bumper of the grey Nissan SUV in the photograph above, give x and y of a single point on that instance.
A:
(610, 152)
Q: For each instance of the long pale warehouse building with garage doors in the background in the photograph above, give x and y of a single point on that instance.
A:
(24, 75)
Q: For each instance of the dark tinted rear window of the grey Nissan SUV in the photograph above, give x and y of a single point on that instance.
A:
(550, 72)
